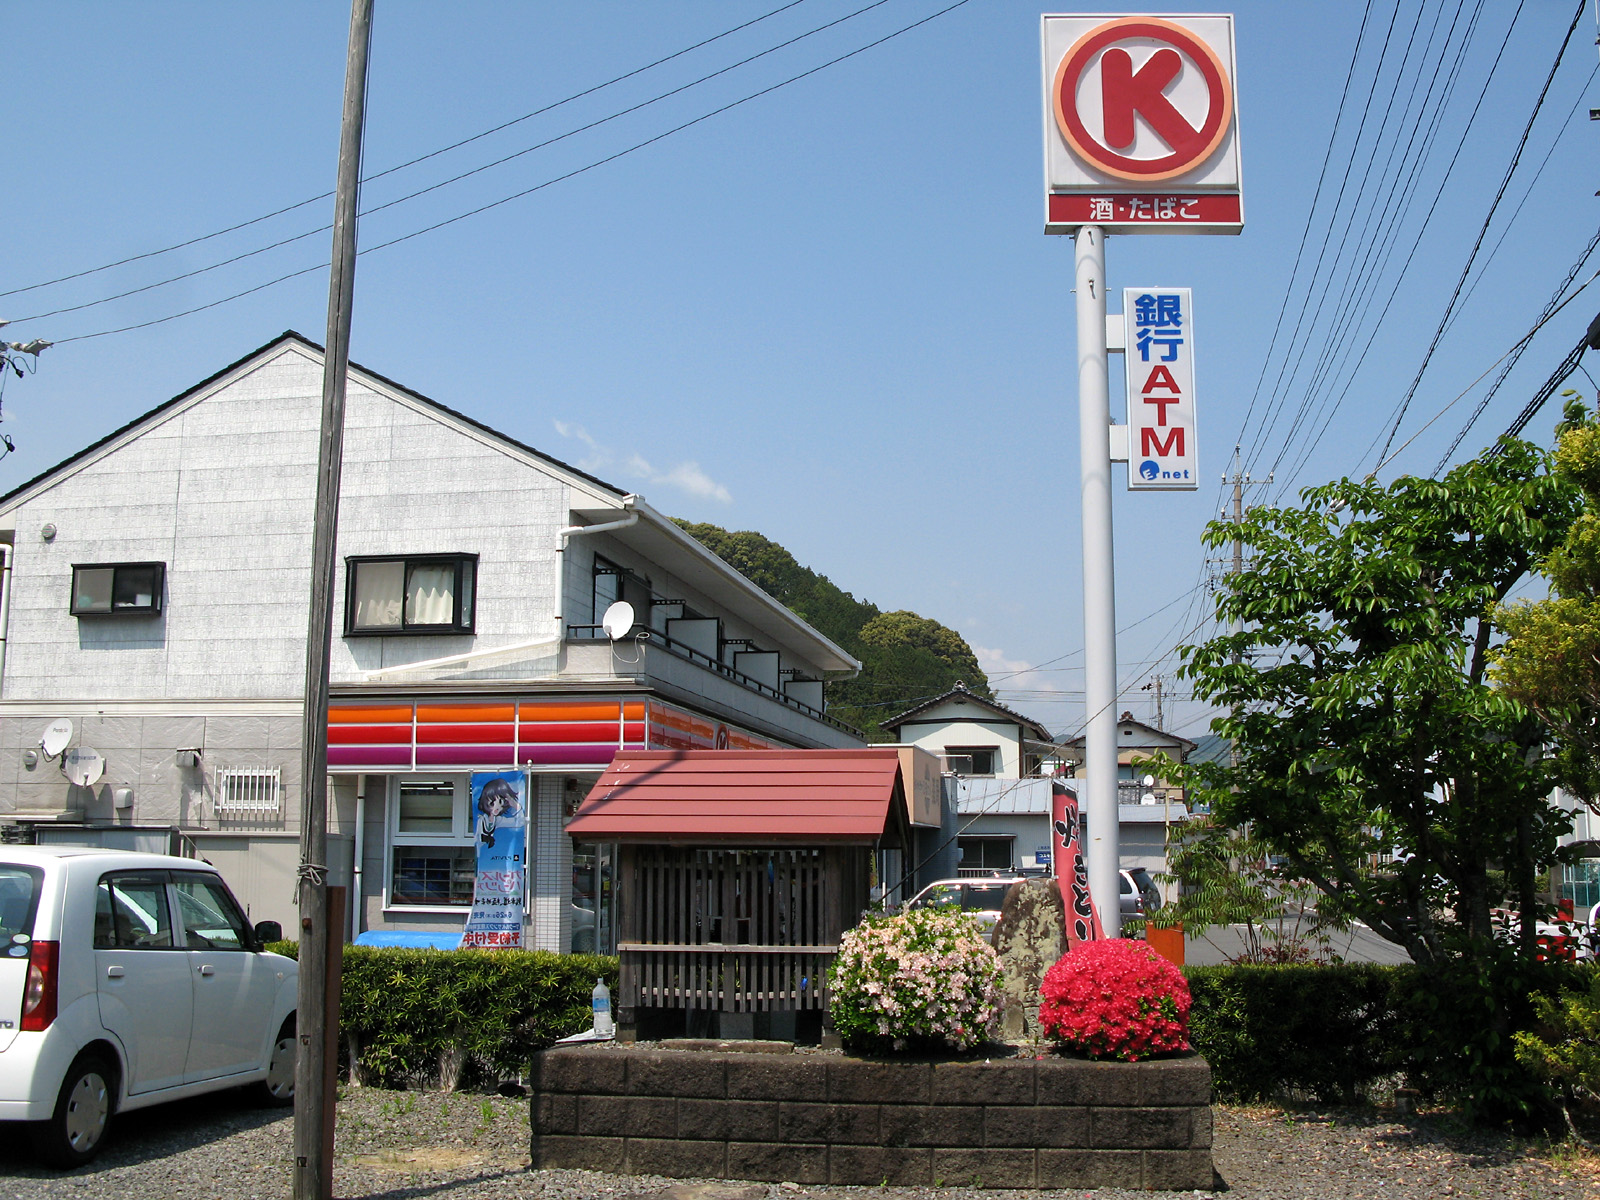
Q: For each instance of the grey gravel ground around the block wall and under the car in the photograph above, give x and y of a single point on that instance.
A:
(418, 1145)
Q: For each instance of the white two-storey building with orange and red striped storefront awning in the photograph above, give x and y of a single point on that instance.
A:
(156, 596)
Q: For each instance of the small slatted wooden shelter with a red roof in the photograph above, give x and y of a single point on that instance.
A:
(738, 873)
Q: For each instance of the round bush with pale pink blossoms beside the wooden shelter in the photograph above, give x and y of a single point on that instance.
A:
(924, 978)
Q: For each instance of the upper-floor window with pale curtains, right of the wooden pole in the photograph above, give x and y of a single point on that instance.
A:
(410, 596)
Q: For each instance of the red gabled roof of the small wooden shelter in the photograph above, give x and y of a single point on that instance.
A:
(746, 798)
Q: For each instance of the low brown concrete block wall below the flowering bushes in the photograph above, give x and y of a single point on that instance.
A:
(814, 1119)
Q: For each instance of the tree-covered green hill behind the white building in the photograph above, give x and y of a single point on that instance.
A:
(905, 658)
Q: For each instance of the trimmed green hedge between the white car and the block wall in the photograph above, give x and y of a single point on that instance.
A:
(409, 1015)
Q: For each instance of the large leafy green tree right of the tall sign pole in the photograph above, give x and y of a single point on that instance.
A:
(1374, 754)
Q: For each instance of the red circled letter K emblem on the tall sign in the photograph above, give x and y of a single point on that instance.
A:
(1126, 95)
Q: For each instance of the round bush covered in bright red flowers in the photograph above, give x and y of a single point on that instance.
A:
(1116, 999)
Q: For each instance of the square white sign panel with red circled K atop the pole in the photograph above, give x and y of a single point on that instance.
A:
(1140, 105)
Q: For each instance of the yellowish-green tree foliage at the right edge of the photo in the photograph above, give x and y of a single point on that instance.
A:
(1551, 660)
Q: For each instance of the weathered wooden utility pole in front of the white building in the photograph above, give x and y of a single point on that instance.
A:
(314, 1066)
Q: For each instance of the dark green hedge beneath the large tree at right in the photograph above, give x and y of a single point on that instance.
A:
(1340, 1033)
